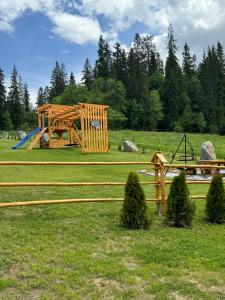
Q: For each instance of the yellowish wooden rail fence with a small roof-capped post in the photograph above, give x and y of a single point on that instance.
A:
(158, 163)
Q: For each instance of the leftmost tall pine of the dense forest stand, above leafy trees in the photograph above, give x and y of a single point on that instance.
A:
(103, 64)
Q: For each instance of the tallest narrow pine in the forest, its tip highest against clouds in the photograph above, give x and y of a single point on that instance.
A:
(173, 85)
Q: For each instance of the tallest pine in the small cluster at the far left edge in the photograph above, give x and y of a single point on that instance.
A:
(14, 102)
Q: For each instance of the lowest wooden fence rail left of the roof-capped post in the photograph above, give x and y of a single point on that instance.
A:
(46, 202)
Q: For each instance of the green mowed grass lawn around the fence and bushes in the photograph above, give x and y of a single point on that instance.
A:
(79, 251)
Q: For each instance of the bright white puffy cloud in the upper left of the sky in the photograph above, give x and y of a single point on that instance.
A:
(74, 28)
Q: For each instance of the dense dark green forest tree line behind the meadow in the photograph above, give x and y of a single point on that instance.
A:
(142, 93)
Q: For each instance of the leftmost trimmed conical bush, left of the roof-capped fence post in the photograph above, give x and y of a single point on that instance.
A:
(134, 214)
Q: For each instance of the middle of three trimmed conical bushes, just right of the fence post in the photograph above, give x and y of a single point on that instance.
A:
(180, 209)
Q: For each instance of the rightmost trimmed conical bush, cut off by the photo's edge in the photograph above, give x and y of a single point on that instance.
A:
(215, 201)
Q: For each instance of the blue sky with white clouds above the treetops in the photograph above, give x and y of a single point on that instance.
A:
(34, 34)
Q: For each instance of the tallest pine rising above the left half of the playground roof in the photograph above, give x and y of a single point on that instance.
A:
(58, 81)
